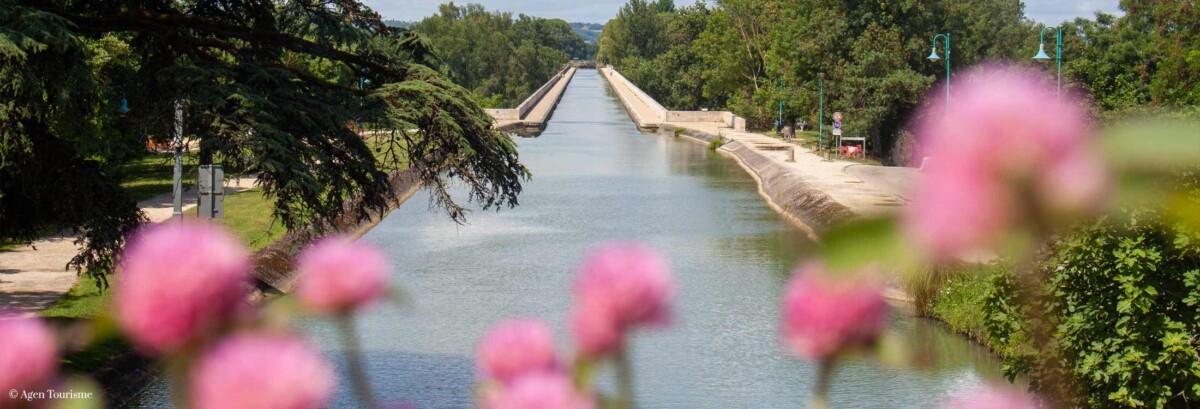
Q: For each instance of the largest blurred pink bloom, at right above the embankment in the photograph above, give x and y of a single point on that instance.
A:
(1009, 143)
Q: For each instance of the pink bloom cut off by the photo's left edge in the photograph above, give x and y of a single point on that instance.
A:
(29, 357)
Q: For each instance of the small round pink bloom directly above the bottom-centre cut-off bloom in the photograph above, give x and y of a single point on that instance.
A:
(515, 348)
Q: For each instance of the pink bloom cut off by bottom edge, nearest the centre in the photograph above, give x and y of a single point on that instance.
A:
(544, 390)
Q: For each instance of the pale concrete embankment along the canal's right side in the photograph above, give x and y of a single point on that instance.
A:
(809, 191)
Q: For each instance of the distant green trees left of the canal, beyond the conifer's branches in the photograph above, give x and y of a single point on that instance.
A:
(500, 57)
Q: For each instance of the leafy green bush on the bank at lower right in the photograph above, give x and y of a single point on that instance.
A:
(1121, 303)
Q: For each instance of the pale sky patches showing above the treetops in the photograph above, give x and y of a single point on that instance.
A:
(601, 11)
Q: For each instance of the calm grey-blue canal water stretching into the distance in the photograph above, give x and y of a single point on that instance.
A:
(597, 179)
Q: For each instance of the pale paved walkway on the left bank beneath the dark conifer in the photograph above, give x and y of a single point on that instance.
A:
(34, 278)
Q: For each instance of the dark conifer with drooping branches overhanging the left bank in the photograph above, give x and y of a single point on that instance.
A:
(271, 85)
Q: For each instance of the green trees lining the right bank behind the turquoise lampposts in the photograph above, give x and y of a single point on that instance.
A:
(752, 57)
